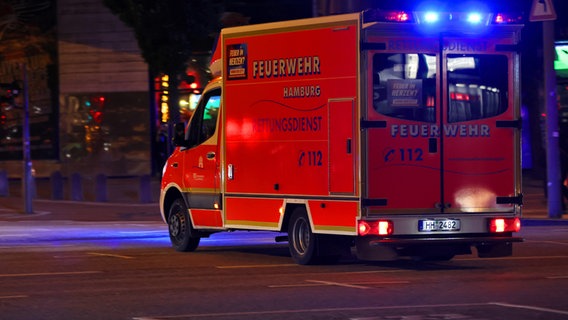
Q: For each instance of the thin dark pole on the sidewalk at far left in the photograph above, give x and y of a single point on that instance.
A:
(27, 174)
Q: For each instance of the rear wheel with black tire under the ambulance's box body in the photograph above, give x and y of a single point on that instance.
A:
(301, 240)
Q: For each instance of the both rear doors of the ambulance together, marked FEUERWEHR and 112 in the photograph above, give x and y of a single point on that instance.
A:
(439, 127)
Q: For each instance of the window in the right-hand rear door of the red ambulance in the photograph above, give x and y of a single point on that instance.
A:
(477, 86)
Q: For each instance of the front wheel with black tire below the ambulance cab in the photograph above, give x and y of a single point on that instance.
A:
(182, 235)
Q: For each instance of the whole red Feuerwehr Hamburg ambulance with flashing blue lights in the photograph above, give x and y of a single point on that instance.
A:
(396, 134)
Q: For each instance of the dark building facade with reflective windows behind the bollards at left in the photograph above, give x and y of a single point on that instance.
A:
(88, 89)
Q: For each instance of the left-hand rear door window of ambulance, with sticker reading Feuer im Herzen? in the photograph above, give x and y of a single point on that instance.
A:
(404, 85)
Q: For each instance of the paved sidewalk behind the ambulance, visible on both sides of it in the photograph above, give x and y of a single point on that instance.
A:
(123, 204)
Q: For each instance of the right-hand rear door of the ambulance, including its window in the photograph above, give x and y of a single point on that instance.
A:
(480, 126)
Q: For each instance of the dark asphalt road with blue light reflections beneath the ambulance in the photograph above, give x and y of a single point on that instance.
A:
(127, 270)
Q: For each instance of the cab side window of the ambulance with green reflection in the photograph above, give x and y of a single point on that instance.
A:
(204, 121)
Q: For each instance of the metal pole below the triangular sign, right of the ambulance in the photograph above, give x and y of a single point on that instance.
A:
(552, 146)
